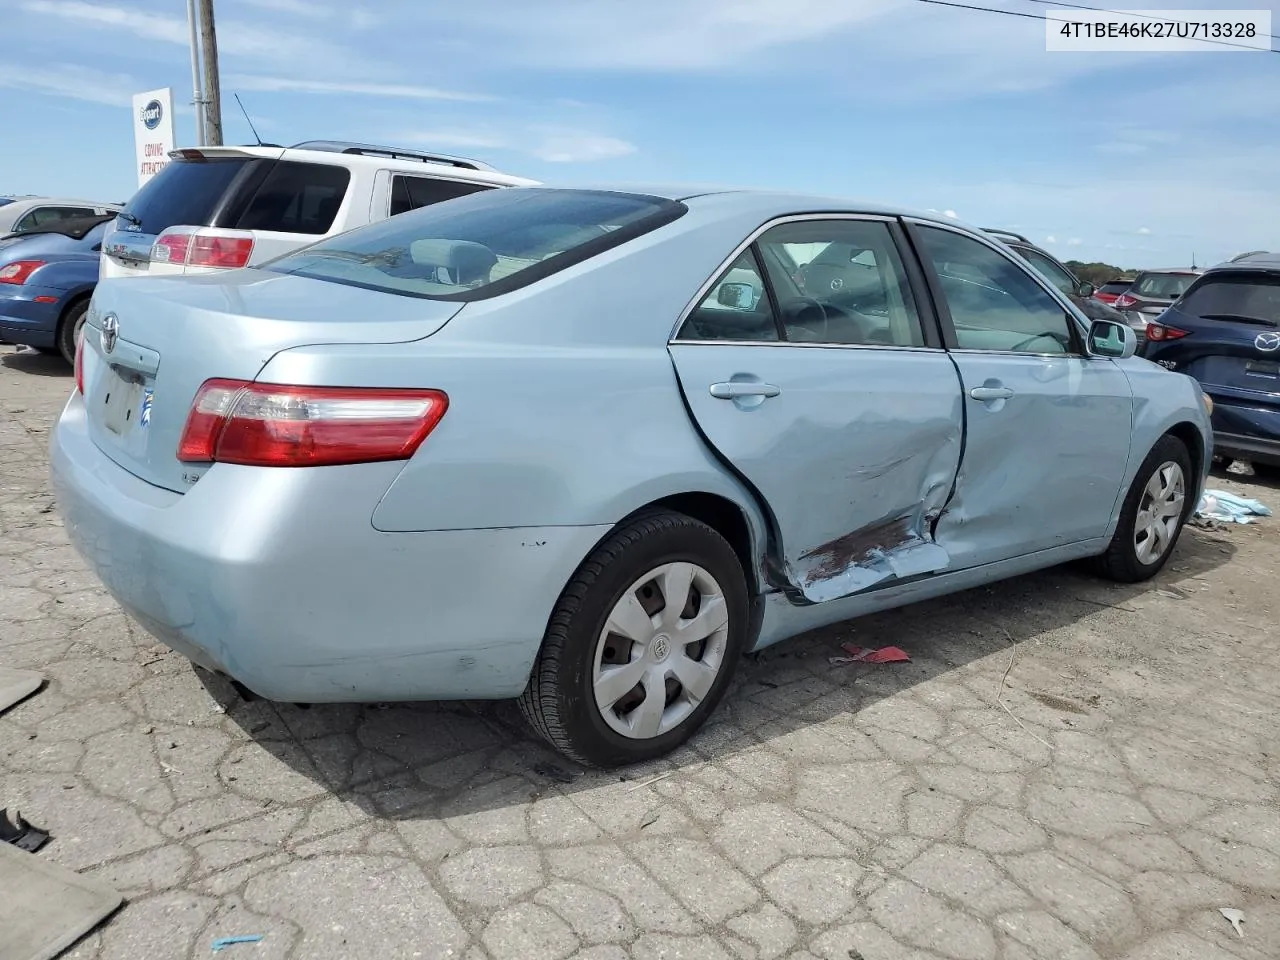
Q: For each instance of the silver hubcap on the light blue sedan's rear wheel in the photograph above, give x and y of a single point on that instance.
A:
(661, 651)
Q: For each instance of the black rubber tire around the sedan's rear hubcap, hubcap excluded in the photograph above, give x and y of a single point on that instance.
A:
(560, 701)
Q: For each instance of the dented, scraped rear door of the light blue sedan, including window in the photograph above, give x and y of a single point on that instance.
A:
(854, 449)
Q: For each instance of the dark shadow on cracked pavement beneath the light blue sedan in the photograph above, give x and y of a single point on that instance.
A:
(441, 761)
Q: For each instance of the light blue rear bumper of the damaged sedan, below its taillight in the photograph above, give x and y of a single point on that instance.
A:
(278, 579)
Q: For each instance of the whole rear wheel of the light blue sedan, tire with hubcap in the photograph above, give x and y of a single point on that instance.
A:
(642, 646)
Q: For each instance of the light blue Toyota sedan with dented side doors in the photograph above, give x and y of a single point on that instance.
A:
(586, 449)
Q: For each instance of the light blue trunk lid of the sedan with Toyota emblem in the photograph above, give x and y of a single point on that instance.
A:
(173, 335)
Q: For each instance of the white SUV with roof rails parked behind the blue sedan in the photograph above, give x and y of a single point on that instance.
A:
(226, 208)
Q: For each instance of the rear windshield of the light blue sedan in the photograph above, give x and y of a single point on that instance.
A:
(482, 245)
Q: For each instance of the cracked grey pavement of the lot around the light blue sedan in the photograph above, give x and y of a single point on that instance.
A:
(1128, 792)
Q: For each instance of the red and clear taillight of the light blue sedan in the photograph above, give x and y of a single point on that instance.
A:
(276, 426)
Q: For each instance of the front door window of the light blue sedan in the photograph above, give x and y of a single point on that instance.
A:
(995, 304)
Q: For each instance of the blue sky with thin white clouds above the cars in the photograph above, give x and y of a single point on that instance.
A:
(1137, 159)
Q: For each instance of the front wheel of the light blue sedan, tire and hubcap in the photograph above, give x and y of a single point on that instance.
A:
(1153, 516)
